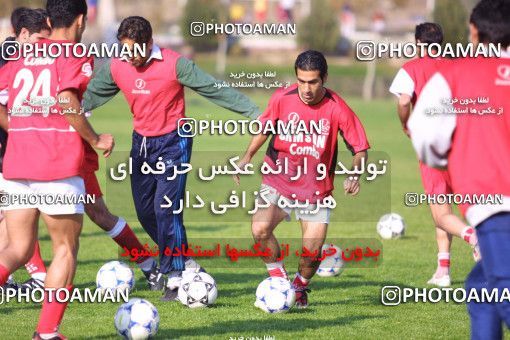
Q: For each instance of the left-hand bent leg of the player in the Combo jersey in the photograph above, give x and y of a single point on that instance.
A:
(263, 224)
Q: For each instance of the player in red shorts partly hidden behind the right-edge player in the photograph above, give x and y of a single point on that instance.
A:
(407, 86)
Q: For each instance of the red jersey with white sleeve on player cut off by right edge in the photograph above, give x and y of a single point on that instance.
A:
(474, 142)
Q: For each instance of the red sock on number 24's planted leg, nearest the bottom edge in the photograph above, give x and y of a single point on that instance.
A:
(52, 313)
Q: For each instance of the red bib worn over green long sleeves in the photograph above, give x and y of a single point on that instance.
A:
(156, 101)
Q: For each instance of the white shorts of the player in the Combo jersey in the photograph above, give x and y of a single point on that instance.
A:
(309, 214)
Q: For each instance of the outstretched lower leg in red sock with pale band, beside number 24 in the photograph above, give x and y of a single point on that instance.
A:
(118, 229)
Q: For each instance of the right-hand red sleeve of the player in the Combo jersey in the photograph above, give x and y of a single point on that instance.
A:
(352, 131)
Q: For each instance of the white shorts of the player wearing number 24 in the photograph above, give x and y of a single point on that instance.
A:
(58, 197)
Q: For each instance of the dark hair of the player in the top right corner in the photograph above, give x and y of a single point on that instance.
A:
(492, 20)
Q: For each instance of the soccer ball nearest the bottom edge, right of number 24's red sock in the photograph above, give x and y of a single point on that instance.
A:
(137, 319)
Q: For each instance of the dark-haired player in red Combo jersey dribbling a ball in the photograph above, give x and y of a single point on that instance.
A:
(306, 101)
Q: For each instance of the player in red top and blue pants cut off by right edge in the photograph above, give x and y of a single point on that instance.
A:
(474, 145)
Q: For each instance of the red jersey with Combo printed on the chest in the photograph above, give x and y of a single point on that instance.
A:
(334, 116)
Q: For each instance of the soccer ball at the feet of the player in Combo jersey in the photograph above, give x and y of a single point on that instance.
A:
(275, 295)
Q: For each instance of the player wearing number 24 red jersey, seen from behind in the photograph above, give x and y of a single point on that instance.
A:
(33, 167)
